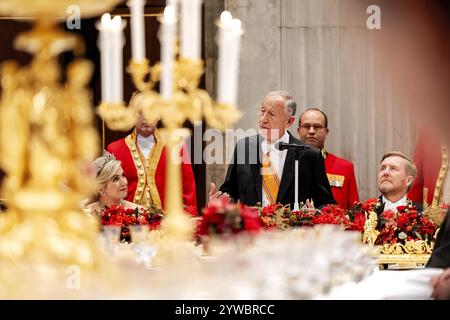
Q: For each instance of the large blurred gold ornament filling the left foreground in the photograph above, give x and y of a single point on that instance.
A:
(47, 142)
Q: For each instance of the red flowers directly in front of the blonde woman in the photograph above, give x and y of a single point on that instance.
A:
(122, 217)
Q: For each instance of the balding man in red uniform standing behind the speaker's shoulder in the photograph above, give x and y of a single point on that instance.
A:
(313, 129)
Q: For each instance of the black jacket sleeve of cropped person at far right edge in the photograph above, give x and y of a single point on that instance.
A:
(440, 257)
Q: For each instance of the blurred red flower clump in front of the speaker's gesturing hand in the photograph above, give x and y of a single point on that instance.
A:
(223, 217)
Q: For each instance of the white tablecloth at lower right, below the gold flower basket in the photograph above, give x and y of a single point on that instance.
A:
(387, 285)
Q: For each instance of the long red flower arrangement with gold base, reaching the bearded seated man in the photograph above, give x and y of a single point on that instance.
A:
(407, 232)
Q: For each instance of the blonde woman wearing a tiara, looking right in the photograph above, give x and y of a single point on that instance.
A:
(112, 185)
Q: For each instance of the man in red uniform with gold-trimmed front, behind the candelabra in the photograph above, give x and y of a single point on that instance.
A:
(143, 158)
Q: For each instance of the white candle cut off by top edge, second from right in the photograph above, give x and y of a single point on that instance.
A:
(191, 28)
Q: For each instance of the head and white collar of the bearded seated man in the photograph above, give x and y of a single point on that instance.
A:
(395, 178)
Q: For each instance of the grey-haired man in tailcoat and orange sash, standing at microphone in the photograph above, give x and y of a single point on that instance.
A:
(260, 173)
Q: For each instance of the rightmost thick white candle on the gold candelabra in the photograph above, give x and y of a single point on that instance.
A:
(229, 39)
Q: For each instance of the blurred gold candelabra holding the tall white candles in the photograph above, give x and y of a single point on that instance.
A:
(188, 103)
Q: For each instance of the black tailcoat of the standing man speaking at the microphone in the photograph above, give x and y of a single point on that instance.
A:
(243, 180)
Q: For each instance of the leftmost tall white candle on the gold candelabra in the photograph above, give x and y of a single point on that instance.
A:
(104, 45)
